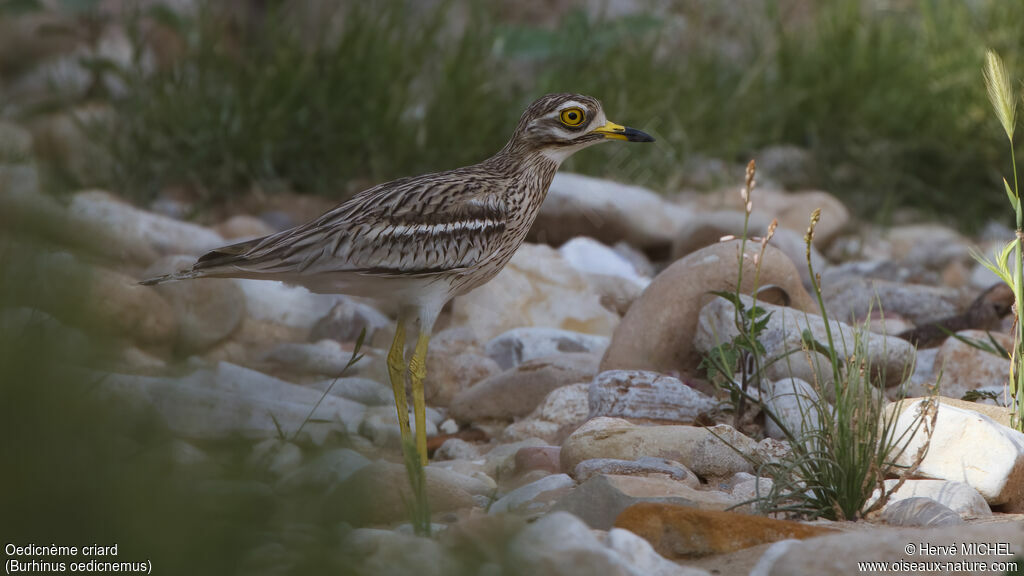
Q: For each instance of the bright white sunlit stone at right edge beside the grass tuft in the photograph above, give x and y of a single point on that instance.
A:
(969, 447)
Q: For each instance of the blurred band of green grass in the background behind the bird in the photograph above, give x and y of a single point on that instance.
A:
(886, 99)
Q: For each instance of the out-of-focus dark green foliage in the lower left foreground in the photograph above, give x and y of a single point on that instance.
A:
(82, 467)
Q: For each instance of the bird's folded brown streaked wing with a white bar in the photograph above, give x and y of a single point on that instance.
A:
(414, 226)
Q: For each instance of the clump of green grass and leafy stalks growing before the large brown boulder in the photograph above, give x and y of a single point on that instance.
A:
(841, 452)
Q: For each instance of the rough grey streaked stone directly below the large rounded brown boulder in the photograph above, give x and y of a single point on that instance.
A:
(639, 394)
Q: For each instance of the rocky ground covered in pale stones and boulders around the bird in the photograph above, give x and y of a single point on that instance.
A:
(571, 429)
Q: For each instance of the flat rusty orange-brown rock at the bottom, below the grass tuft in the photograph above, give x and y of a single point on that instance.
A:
(680, 531)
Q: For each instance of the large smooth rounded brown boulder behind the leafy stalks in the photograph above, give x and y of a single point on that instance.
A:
(658, 333)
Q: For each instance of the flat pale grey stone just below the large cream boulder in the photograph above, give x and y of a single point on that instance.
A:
(523, 345)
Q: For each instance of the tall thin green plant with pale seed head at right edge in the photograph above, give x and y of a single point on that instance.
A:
(1005, 103)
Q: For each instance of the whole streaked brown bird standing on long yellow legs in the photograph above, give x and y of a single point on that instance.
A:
(418, 242)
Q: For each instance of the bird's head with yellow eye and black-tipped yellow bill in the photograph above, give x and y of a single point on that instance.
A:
(559, 126)
